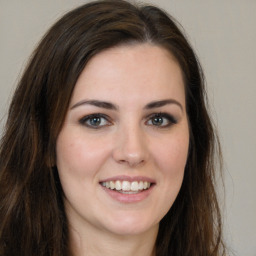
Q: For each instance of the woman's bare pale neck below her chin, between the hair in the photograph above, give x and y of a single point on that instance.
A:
(104, 243)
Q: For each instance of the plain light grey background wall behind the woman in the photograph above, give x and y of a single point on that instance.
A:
(223, 33)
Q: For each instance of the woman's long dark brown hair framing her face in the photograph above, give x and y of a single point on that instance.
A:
(32, 216)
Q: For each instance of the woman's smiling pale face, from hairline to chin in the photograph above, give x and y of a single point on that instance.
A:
(123, 147)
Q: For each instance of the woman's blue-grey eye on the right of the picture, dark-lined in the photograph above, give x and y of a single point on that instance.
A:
(162, 120)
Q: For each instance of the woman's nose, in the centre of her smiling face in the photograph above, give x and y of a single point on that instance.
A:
(131, 147)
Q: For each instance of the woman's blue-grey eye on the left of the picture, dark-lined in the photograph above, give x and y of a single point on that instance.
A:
(95, 121)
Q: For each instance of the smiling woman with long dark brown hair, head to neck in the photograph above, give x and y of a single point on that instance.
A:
(108, 147)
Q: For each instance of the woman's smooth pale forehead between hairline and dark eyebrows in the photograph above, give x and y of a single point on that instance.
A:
(131, 71)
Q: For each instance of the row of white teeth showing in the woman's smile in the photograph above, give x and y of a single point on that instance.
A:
(126, 186)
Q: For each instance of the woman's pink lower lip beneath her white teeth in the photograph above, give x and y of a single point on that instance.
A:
(128, 198)
